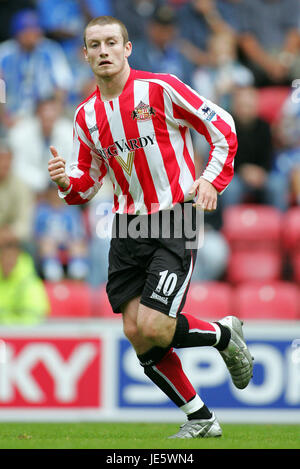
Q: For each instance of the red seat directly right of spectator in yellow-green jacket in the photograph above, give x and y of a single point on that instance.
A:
(69, 299)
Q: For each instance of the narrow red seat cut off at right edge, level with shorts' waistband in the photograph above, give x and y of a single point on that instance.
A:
(291, 230)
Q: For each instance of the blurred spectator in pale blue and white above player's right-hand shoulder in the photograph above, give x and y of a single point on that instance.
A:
(217, 80)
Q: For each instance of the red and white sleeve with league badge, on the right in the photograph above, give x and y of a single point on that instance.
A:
(214, 123)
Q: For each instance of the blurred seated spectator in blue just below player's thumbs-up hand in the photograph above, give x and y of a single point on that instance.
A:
(61, 238)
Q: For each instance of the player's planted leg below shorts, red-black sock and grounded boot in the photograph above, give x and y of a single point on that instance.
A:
(163, 367)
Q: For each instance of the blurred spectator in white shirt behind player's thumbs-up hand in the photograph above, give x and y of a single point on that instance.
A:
(31, 137)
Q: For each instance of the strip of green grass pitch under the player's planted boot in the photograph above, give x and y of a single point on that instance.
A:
(142, 436)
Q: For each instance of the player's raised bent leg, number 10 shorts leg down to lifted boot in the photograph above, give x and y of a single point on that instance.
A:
(165, 291)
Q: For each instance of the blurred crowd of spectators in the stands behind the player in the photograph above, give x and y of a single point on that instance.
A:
(242, 54)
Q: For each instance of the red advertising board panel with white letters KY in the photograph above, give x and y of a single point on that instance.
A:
(50, 371)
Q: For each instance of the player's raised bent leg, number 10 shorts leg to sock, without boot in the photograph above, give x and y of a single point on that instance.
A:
(165, 291)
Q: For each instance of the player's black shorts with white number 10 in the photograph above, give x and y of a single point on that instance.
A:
(156, 267)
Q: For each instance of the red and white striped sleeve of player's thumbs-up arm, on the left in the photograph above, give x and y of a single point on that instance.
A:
(87, 168)
